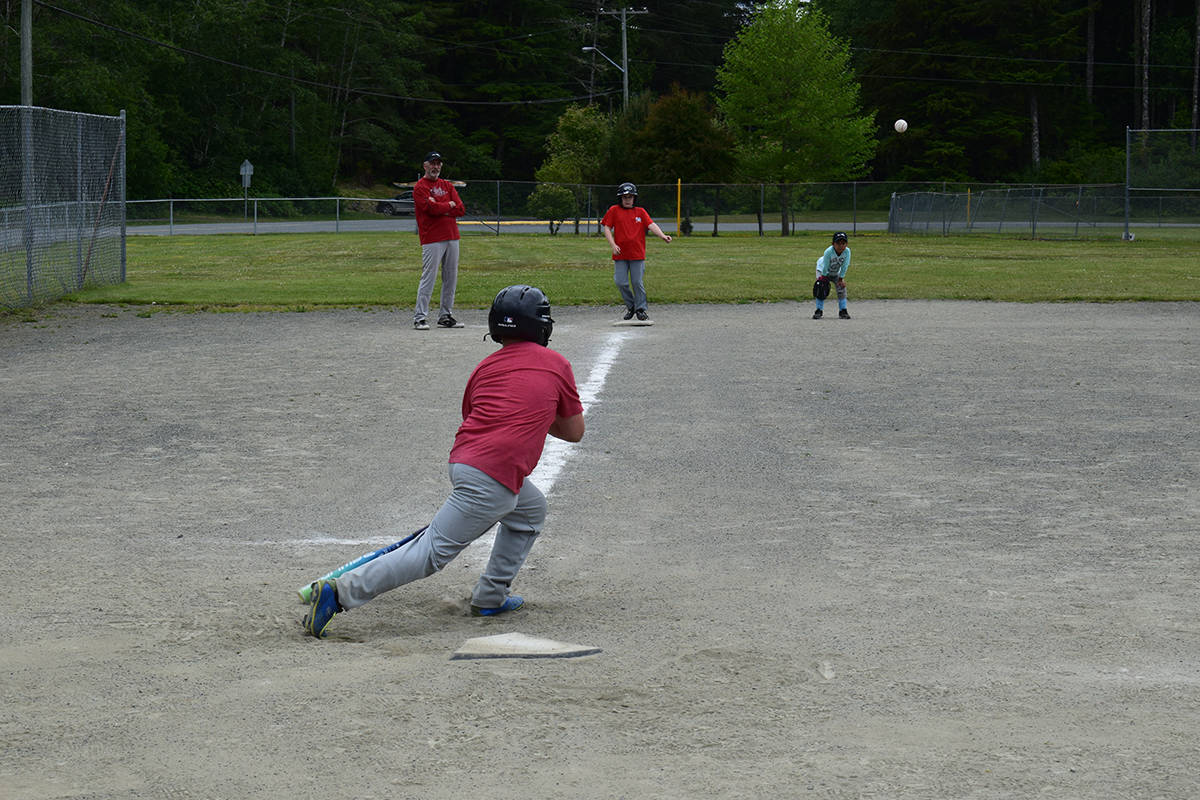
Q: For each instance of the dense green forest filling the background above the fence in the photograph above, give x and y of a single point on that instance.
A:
(325, 95)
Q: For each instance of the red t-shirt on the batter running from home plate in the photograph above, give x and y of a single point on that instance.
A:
(512, 400)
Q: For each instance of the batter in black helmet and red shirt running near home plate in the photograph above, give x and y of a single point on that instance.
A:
(513, 400)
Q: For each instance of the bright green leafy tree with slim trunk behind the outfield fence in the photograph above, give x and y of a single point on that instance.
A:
(787, 89)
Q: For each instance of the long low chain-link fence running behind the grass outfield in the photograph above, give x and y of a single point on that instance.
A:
(697, 209)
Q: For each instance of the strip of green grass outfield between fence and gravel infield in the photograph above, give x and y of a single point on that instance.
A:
(311, 272)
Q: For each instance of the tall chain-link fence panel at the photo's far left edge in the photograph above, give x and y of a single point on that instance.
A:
(62, 203)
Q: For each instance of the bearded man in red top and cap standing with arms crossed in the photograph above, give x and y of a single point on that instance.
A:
(437, 207)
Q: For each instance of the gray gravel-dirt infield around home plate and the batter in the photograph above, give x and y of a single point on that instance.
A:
(938, 551)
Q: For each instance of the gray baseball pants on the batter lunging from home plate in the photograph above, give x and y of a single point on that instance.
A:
(477, 503)
